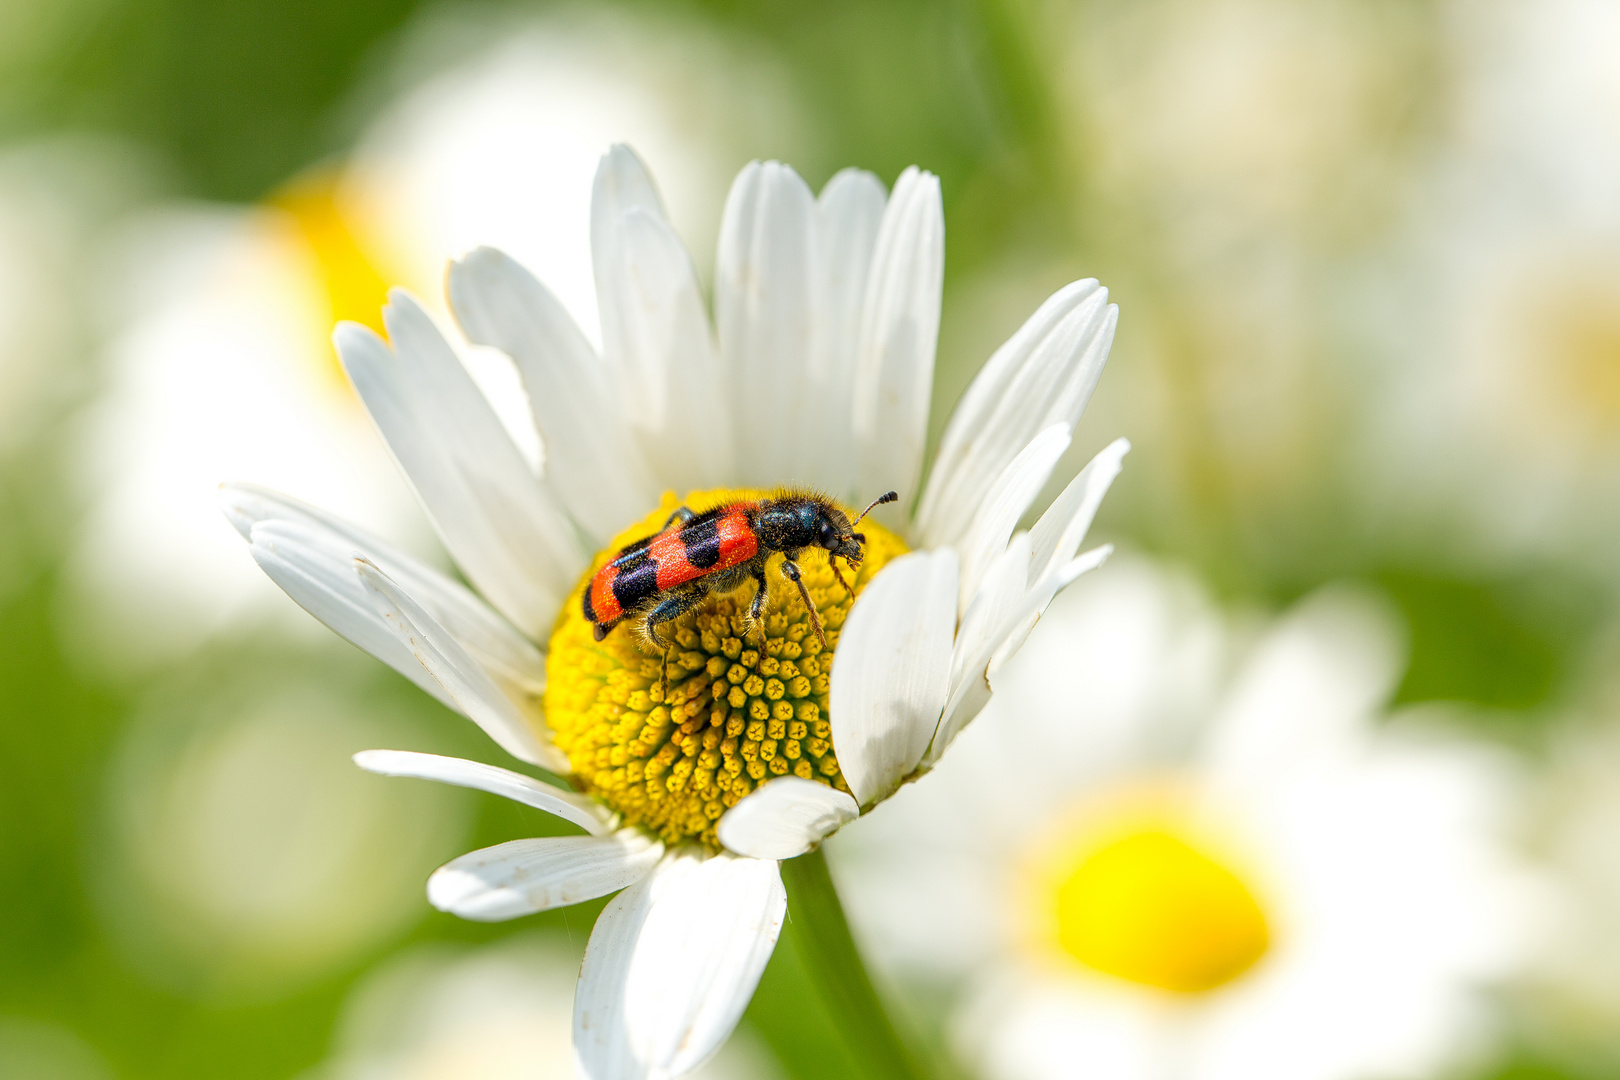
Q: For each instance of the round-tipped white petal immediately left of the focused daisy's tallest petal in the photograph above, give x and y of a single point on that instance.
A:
(599, 474)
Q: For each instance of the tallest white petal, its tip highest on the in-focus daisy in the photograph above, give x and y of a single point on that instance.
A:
(655, 333)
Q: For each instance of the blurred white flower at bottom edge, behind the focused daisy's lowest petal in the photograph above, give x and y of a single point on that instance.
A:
(503, 1013)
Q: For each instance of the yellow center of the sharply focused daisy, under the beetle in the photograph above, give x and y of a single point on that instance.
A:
(738, 712)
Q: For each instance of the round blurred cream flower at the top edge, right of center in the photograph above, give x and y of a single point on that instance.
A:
(1213, 119)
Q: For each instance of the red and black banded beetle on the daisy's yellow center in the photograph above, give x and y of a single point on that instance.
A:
(665, 576)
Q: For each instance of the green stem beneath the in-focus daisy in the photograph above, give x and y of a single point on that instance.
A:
(829, 953)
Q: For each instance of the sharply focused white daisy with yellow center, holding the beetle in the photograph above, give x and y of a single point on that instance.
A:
(817, 372)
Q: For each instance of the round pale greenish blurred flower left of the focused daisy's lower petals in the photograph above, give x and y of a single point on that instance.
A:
(245, 856)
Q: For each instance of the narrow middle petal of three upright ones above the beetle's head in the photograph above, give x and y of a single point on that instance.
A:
(850, 215)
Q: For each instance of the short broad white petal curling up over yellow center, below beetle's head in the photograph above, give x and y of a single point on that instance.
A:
(892, 673)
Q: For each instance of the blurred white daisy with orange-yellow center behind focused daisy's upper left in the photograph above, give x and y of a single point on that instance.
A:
(221, 357)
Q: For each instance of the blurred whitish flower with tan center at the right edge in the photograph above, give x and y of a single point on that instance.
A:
(1507, 388)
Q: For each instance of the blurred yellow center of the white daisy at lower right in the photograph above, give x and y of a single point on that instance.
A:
(1148, 899)
